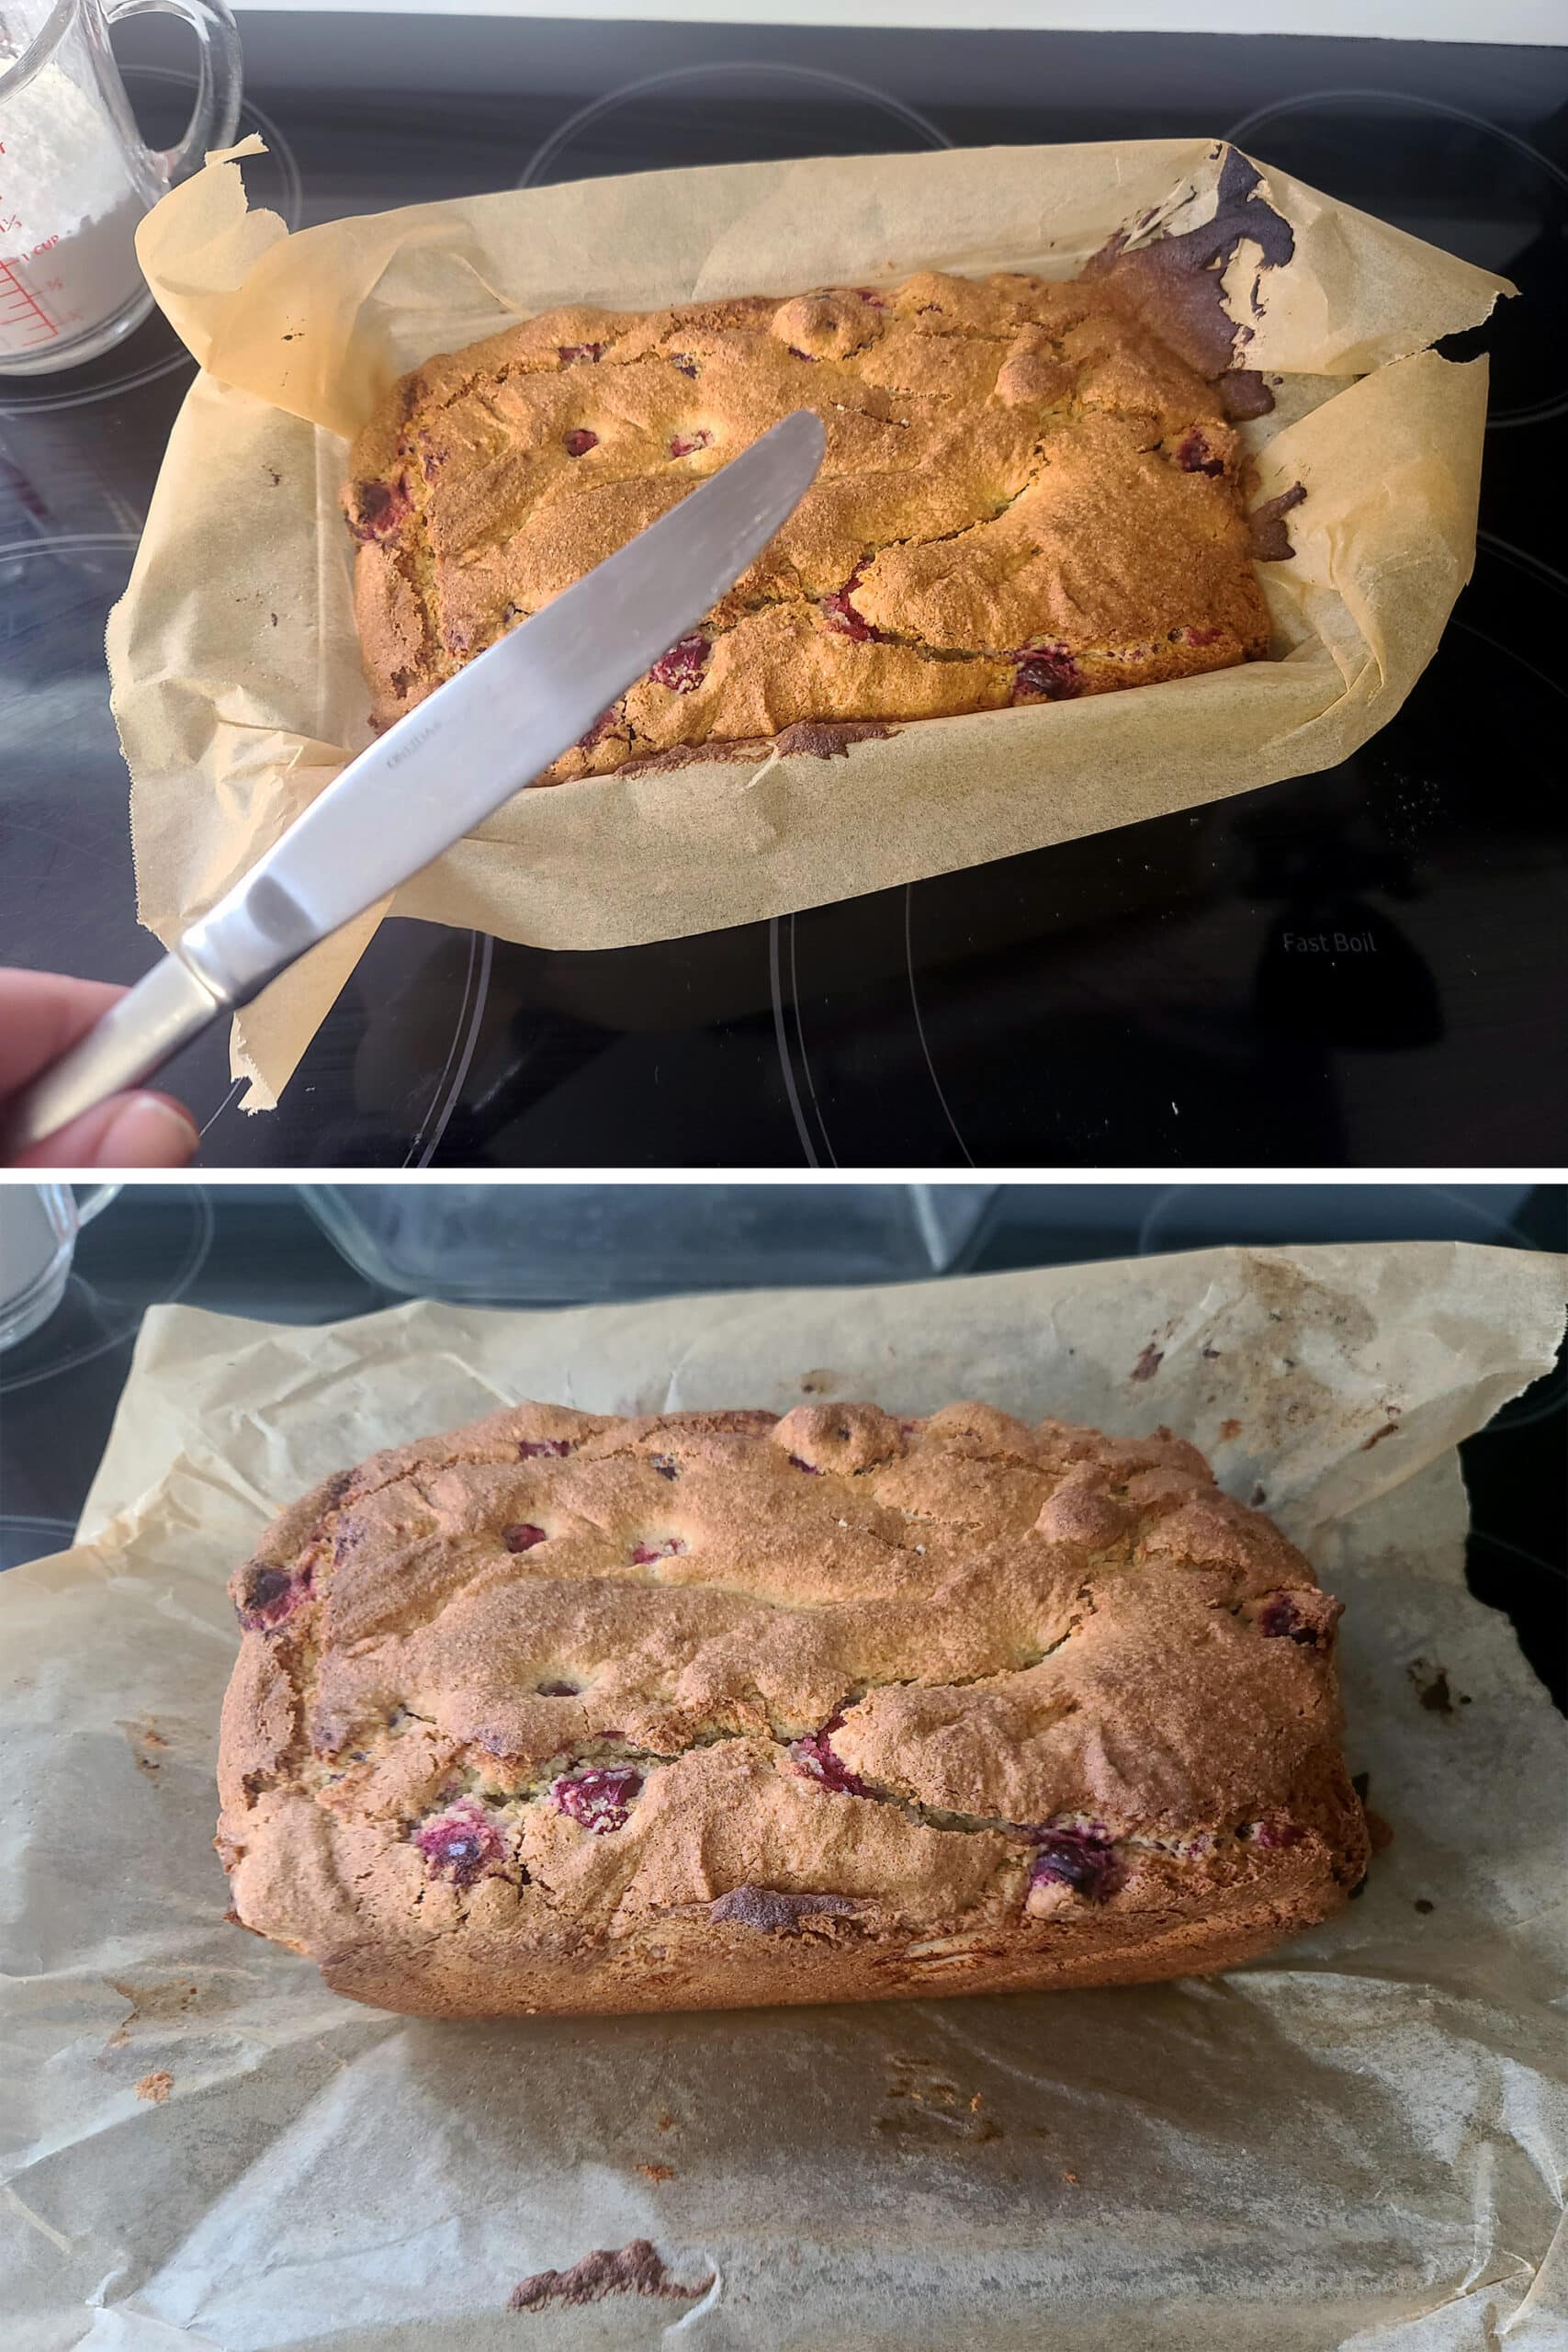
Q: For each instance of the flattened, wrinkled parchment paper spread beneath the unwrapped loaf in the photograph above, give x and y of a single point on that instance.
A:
(1358, 2144)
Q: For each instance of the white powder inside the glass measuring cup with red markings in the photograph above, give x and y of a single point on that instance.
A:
(69, 211)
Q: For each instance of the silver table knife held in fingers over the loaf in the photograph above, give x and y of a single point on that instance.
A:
(438, 773)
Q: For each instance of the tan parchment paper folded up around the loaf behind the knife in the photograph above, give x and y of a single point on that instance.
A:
(234, 655)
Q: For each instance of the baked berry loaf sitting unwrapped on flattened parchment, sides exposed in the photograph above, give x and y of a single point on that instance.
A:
(704, 1711)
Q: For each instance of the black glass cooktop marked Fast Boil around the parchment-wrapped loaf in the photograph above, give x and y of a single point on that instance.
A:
(1120, 1001)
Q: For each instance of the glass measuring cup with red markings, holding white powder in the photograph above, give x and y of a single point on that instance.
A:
(76, 178)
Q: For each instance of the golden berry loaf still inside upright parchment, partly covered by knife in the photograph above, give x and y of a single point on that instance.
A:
(1026, 497)
